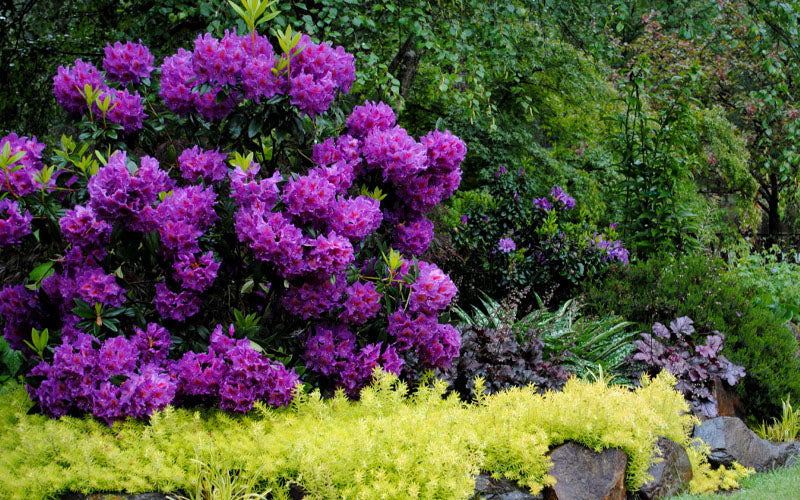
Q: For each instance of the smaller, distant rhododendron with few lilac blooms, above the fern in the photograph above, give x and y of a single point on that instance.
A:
(517, 234)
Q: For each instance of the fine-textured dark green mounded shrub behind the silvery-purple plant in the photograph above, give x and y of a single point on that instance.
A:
(664, 288)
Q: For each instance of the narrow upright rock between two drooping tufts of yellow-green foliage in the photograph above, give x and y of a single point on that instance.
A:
(671, 475)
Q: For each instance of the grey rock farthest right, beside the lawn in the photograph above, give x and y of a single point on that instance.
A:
(730, 440)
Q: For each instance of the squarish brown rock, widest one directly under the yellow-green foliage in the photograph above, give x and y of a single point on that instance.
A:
(583, 474)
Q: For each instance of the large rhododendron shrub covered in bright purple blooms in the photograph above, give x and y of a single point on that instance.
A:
(311, 261)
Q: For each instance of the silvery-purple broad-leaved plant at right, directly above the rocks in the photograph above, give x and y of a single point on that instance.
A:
(678, 350)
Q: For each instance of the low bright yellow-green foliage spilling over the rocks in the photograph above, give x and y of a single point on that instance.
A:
(391, 444)
